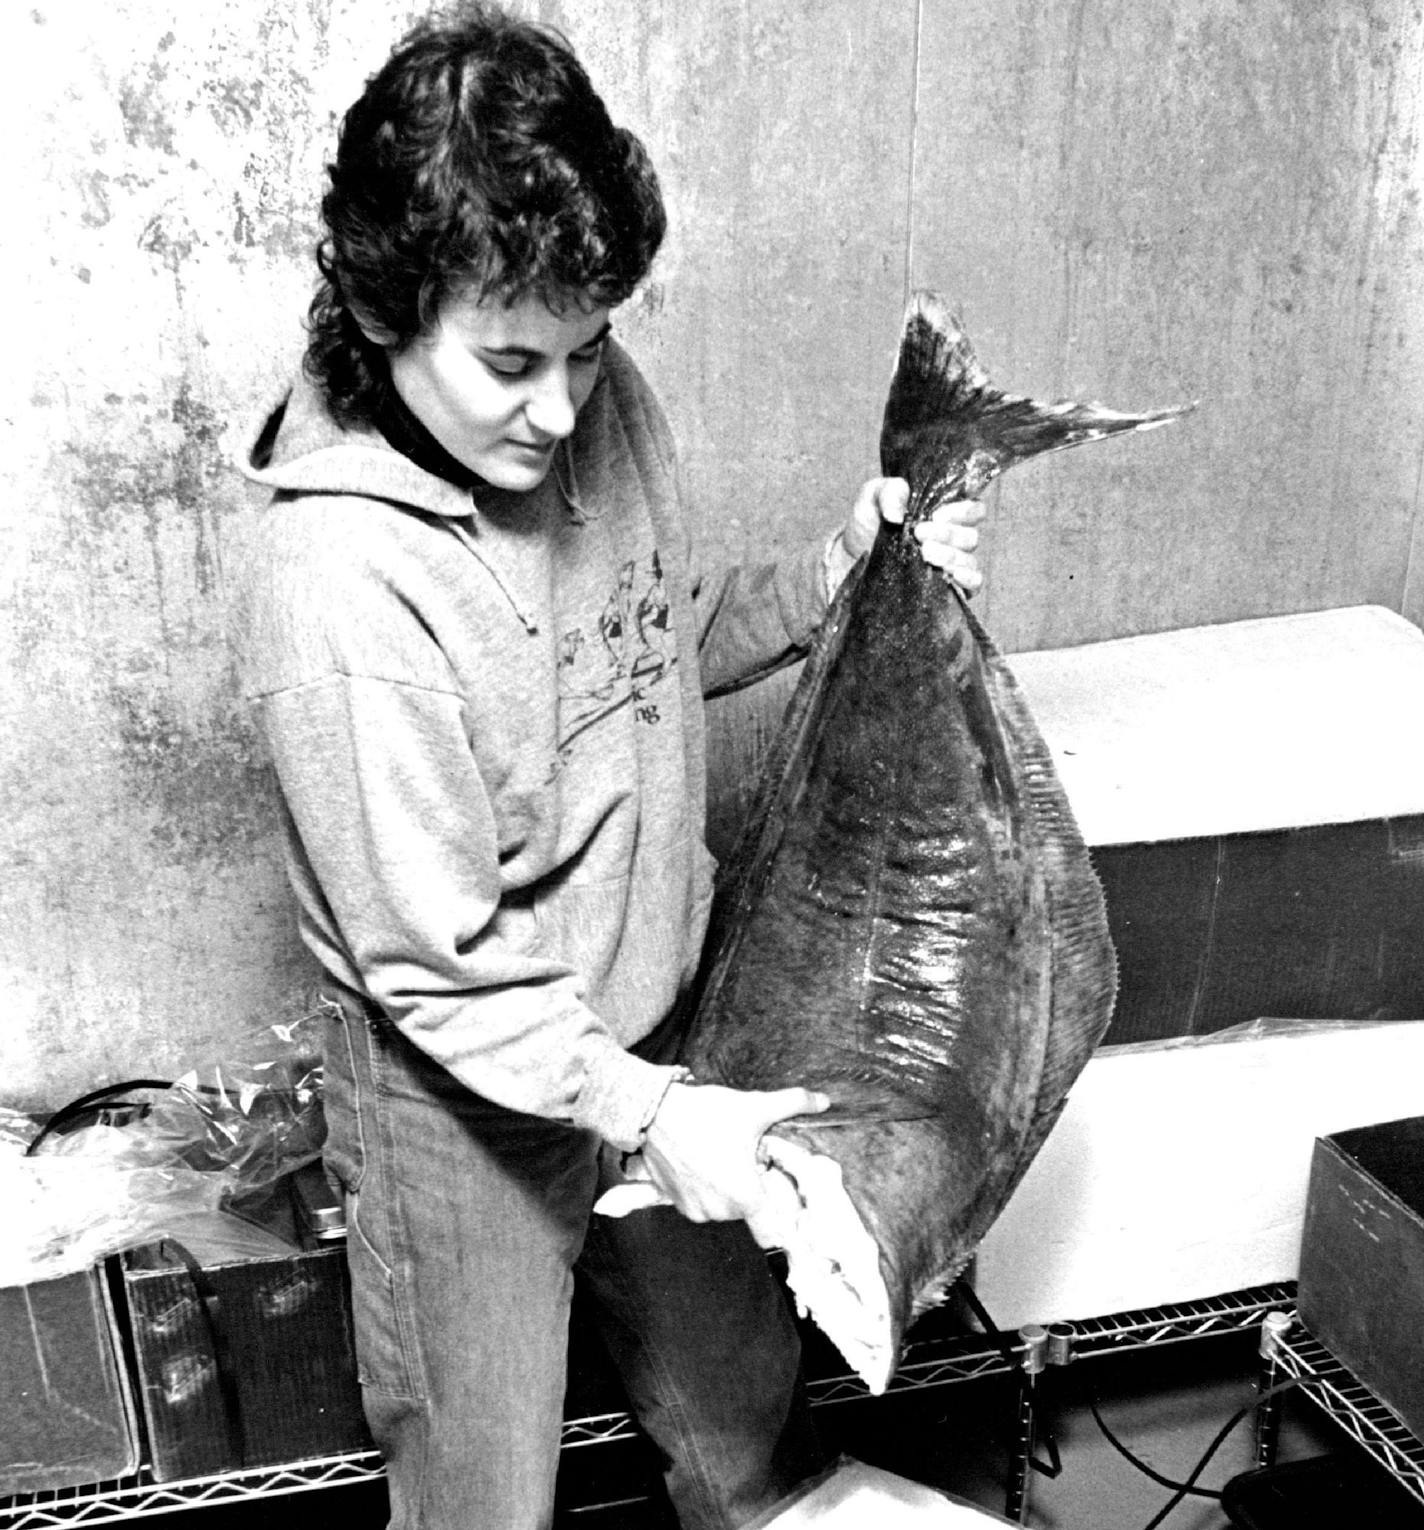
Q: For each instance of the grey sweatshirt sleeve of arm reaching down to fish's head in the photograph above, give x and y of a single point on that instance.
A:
(395, 838)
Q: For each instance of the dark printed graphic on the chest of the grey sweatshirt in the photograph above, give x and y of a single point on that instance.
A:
(620, 660)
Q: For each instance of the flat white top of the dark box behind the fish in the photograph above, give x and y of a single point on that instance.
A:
(1269, 724)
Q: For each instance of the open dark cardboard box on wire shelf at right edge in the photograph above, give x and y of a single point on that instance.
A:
(1362, 1260)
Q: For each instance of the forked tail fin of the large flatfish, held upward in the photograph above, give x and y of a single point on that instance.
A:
(951, 434)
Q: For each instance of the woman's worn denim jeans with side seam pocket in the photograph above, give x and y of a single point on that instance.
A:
(467, 1226)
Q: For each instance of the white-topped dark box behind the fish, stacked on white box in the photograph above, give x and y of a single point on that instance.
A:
(1255, 807)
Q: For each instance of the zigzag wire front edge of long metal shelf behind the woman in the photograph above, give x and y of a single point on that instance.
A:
(934, 1362)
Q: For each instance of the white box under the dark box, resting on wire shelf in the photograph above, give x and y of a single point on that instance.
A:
(1180, 1170)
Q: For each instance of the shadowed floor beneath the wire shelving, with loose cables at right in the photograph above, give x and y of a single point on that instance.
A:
(1166, 1405)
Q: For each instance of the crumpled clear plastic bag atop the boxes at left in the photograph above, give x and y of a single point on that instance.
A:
(218, 1139)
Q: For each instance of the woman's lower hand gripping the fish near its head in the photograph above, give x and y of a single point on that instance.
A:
(703, 1147)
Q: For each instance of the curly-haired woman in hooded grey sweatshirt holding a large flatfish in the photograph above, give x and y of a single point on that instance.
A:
(478, 648)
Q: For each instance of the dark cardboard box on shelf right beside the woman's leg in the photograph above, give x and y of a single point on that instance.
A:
(253, 1364)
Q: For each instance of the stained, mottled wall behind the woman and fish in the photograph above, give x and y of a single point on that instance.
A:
(1137, 203)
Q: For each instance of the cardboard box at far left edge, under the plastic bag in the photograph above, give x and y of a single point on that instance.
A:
(67, 1413)
